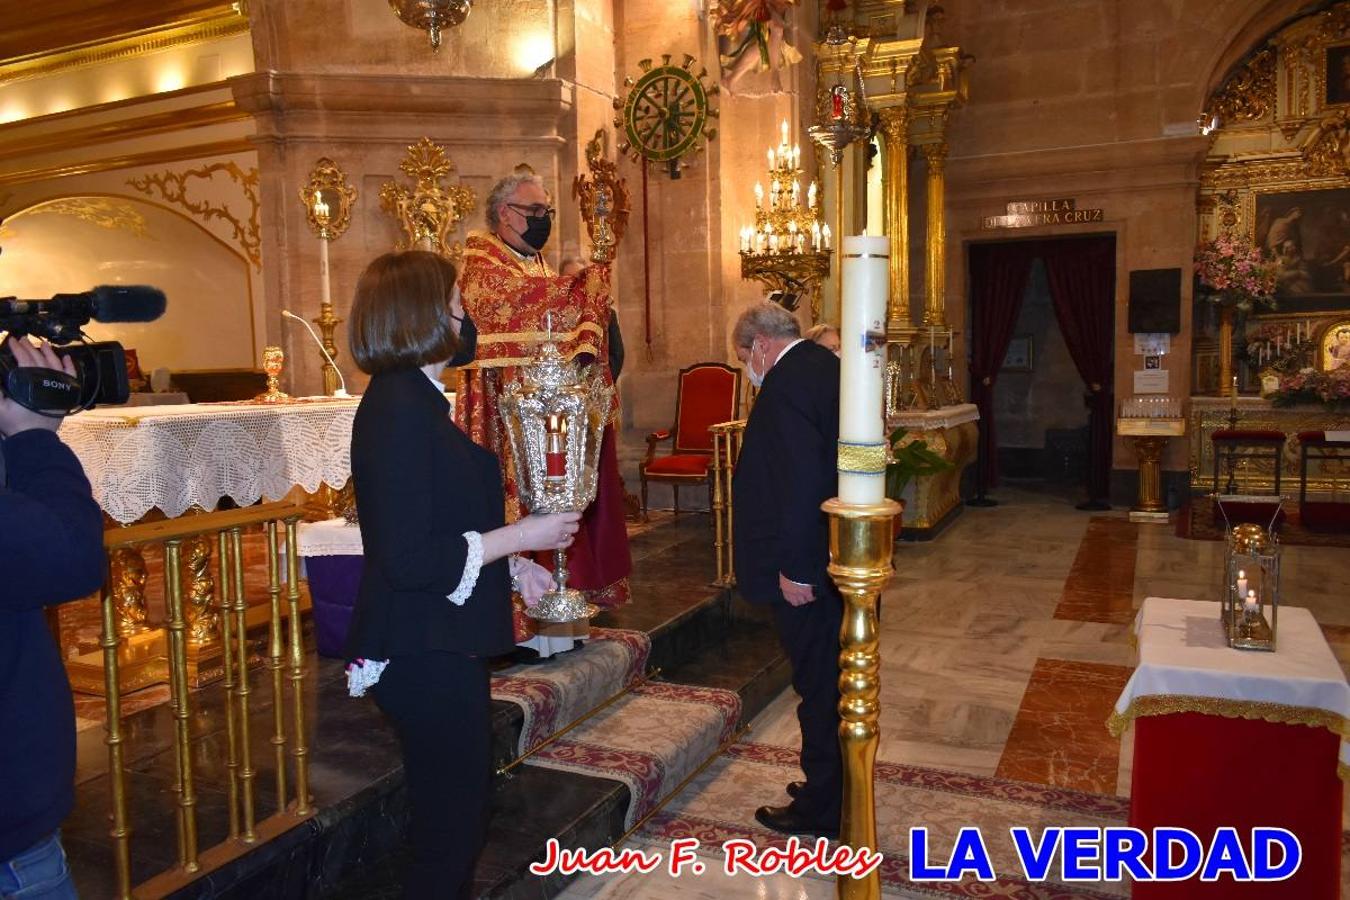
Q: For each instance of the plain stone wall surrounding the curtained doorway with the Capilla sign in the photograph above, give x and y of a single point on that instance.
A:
(1096, 101)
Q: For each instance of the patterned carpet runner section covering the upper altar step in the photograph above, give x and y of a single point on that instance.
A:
(556, 694)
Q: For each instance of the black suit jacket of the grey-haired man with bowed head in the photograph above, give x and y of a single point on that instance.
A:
(786, 470)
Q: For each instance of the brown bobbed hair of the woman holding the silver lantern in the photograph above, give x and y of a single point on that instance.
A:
(402, 315)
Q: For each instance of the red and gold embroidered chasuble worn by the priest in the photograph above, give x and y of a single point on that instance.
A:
(510, 300)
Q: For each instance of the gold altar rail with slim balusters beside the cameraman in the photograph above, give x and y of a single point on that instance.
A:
(284, 662)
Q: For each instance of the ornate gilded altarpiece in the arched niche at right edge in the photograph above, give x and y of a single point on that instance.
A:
(1279, 175)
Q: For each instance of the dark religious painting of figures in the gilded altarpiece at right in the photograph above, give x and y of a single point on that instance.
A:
(1307, 234)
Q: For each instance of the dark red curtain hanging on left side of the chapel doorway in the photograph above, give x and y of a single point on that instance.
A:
(998, 284)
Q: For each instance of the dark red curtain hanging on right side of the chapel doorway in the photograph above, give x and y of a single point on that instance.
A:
(1082, 277)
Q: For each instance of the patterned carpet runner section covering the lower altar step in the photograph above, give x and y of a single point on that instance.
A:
(651, 740)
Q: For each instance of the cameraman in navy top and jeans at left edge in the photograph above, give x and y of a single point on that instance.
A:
(51, 553)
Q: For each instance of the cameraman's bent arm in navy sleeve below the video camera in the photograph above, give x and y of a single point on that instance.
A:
(51, 527)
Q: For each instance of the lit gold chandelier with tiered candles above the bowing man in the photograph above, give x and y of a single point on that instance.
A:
(789, 246)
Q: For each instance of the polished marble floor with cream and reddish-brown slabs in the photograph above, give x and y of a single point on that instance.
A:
(1005, 646)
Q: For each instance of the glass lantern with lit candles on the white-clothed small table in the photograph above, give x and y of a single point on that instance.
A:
(1251, 600)
